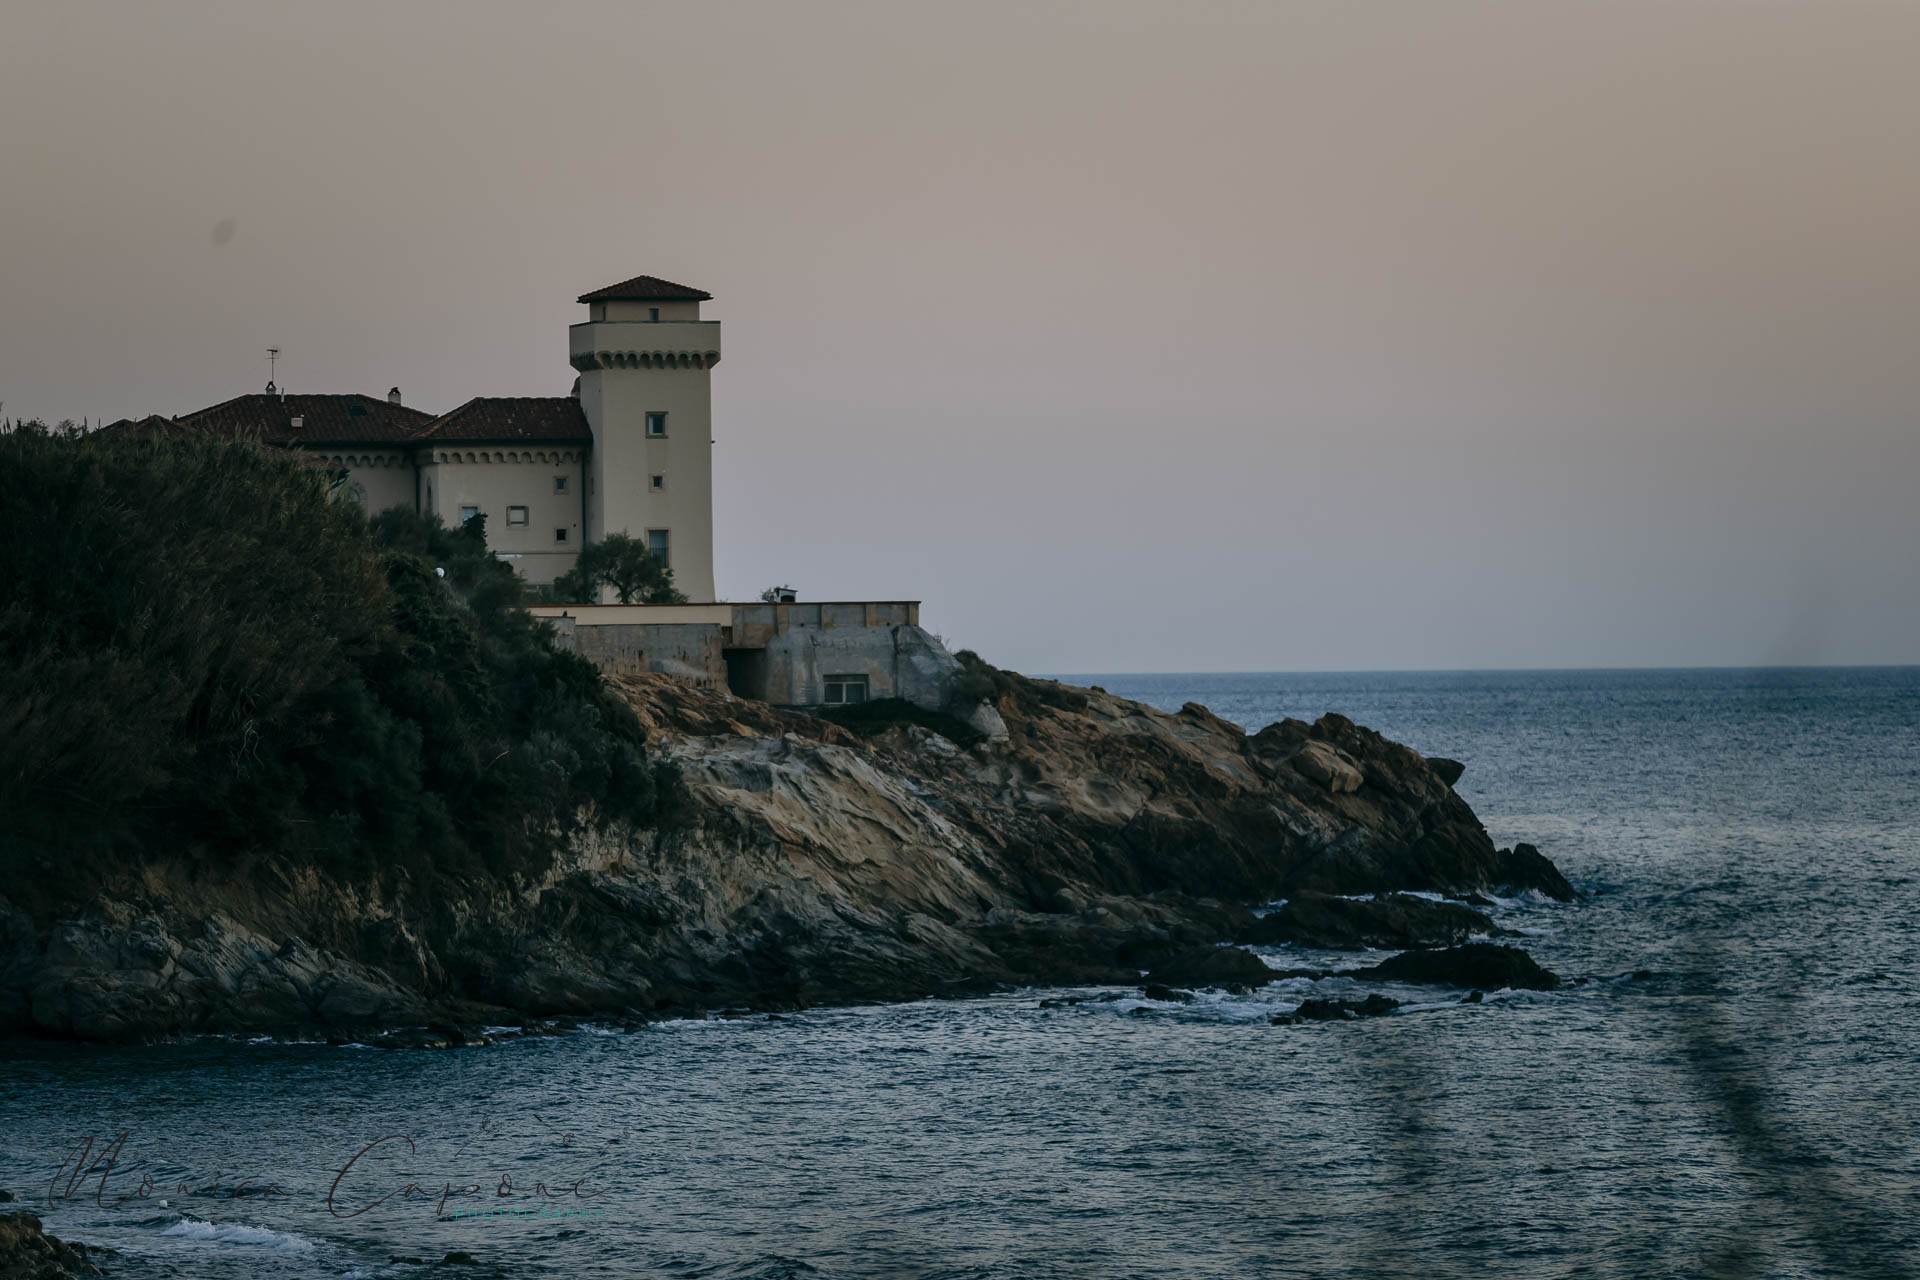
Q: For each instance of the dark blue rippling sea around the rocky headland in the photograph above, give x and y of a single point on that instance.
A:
(1733, 1089)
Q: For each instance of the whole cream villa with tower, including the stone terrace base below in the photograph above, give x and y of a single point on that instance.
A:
(631, 452)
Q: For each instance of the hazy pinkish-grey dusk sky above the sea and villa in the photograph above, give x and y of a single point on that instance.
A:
(1126, 337)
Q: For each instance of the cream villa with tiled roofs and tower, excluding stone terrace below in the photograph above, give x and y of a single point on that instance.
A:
(629, 452)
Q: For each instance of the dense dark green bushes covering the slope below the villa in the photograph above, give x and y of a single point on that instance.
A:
(201, 650)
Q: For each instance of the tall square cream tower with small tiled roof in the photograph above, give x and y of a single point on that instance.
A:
(644, 360)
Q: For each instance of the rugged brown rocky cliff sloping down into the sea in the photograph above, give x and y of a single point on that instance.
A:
(798, 865)
